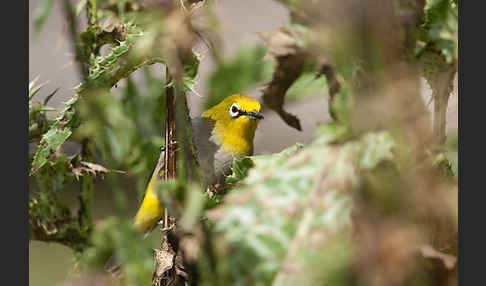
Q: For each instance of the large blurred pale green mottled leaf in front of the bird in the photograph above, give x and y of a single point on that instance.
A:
(292, 212)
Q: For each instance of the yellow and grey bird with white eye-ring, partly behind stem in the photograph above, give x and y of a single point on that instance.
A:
(223, 132)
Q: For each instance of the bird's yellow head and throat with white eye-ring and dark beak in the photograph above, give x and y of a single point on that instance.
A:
(236, 119)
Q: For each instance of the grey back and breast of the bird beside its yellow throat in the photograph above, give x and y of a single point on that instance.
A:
(215, 163)
